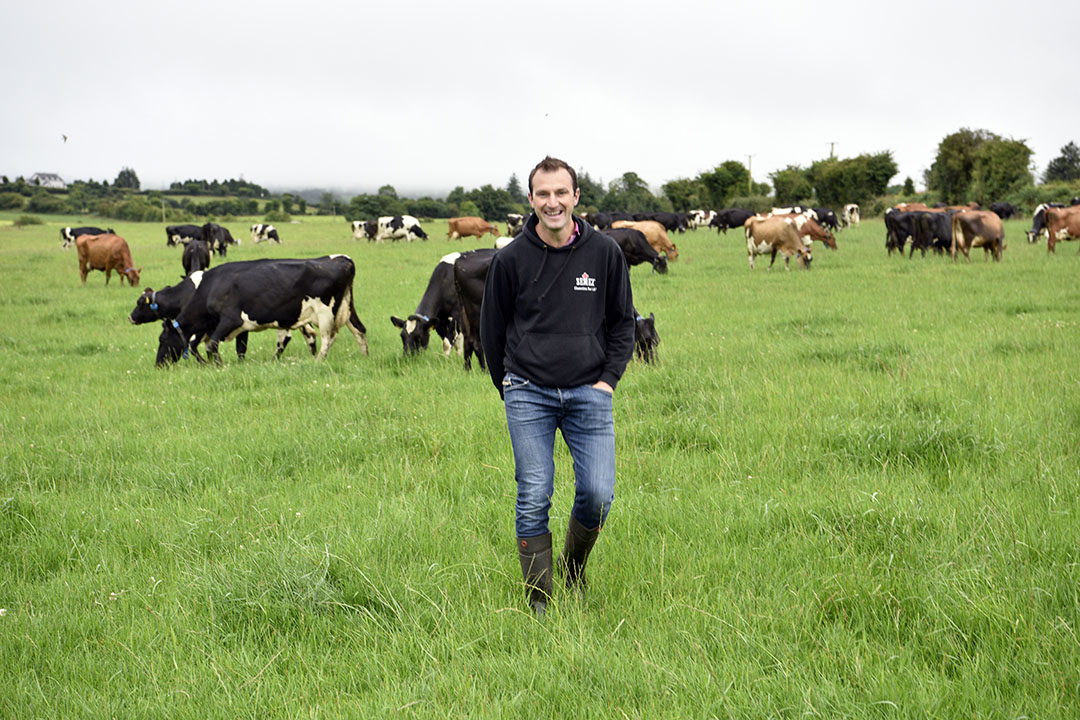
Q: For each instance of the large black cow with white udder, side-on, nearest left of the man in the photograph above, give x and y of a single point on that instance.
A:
(255, 295)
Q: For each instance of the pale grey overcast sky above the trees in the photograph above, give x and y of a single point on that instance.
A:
(429, 96)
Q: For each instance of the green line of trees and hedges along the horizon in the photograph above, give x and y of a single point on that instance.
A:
(970, 166)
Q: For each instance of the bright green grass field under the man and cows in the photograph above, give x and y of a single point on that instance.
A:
(849, 493)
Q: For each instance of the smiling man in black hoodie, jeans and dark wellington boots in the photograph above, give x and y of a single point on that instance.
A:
(558, 331)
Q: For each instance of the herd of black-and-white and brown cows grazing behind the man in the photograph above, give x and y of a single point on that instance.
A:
(315, 296)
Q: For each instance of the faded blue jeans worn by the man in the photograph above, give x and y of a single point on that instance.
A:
(584, 415)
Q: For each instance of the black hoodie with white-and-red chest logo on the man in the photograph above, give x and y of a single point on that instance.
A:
(559, 317)
